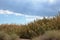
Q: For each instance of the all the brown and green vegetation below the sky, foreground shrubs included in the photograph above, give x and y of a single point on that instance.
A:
(42, 29)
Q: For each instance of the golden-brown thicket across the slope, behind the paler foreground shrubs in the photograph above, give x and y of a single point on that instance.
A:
(33, 29)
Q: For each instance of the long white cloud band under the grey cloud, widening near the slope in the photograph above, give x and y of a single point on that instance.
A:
(28, 18)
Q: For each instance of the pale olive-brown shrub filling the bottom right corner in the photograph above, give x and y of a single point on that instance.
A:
(49, 35)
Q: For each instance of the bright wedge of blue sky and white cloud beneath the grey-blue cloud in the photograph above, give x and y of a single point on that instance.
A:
(13, 17)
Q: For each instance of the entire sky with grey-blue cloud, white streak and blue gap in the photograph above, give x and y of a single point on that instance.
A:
(25, 11)
